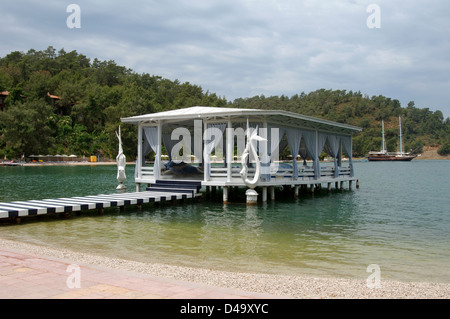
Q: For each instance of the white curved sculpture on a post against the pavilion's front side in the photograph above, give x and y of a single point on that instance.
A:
(251, 194)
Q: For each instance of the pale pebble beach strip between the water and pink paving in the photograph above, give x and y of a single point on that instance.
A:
(283, 286)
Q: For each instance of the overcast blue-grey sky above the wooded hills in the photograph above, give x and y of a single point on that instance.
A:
(243, 48)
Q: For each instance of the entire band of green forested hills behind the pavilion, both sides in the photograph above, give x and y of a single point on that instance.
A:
(57, 102)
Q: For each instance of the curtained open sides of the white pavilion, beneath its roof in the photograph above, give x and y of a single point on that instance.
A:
(200, 153)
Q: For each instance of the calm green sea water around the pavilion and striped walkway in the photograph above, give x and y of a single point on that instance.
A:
(399, 219)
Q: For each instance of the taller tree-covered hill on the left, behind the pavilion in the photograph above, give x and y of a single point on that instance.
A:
(63, 103)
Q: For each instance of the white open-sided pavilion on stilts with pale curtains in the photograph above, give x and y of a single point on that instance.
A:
(230, 147)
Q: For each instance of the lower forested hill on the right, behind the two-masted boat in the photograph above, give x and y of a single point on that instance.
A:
(421, 127)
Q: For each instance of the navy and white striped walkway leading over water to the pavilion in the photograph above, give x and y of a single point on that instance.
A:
(155, 193)
